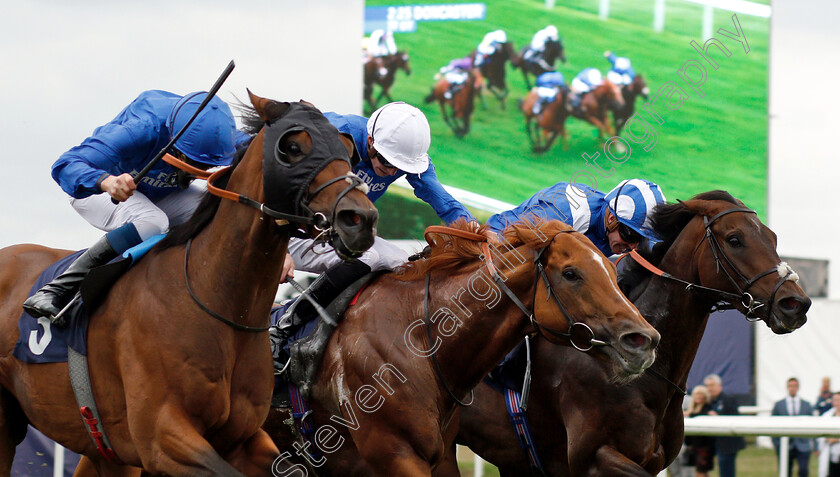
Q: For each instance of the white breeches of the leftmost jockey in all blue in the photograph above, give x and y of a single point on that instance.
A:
(150, 218)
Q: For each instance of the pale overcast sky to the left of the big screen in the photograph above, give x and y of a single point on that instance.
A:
(69, 67)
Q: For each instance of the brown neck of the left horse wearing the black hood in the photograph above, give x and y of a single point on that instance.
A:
(236, 261)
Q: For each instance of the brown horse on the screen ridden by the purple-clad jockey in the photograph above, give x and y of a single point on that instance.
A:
(457, 102)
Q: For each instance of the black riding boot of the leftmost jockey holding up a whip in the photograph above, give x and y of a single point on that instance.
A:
(53, 296)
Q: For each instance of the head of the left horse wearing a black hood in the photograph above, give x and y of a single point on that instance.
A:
(308, 178)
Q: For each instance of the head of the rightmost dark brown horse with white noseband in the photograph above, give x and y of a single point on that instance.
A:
(737, 262)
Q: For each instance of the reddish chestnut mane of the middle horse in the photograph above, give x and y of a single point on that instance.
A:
(448, 252)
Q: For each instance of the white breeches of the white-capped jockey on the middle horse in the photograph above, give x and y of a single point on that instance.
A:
(383, 255)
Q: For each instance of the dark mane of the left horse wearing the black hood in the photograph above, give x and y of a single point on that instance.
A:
(206, 210)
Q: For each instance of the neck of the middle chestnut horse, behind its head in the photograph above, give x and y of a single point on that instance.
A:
(492, 324)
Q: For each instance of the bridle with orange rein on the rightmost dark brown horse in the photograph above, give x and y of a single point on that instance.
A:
(727, 300)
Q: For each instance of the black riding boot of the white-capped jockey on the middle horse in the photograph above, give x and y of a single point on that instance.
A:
(323, 291)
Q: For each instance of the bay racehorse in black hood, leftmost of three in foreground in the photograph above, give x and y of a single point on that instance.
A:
(179, 365)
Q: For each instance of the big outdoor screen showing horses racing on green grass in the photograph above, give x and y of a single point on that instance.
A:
(522, 94)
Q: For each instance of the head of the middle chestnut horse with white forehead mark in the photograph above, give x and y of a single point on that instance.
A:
(578, 292)
